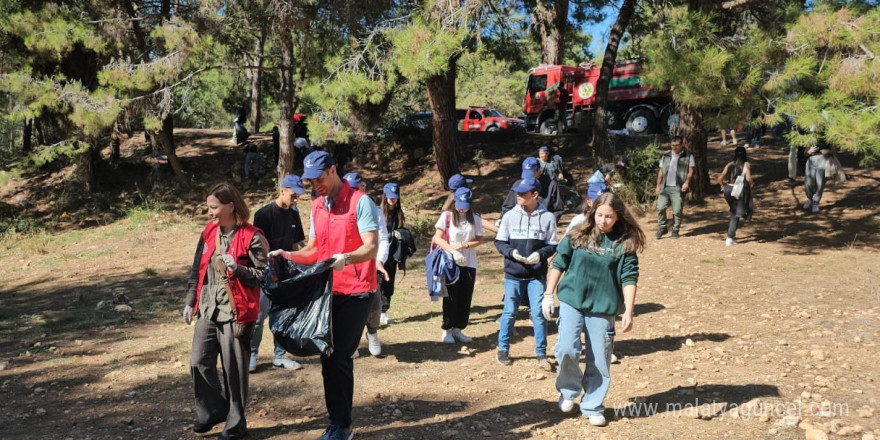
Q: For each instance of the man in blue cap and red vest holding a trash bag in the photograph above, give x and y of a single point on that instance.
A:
(344, 228)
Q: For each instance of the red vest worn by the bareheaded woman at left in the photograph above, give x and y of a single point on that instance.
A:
(247, 299)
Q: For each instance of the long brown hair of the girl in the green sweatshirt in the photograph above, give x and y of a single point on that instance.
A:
(586, 235)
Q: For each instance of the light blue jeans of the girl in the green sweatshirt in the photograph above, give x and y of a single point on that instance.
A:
(570, 380)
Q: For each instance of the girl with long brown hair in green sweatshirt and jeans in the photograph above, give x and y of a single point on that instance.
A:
(595, 272)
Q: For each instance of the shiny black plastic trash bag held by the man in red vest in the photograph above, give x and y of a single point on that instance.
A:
(300, 317)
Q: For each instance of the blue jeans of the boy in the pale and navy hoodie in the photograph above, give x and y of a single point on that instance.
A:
(513, 291)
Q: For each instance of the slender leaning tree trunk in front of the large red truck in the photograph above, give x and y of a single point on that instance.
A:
(601, 149)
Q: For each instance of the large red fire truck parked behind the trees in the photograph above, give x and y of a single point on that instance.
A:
(561, 98)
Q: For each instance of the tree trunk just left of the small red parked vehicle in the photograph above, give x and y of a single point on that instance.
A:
(441, 95)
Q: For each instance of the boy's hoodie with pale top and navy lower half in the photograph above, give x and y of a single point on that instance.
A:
(526, 233)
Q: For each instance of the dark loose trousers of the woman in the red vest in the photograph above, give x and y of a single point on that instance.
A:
(214, 402)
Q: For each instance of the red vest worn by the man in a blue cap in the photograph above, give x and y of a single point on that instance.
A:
(336, 232)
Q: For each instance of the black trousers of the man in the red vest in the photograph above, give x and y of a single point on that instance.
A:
(349, 318)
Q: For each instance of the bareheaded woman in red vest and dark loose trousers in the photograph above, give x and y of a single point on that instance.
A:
(223, 293)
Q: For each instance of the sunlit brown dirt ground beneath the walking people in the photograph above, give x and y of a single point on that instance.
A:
(775, 337)
